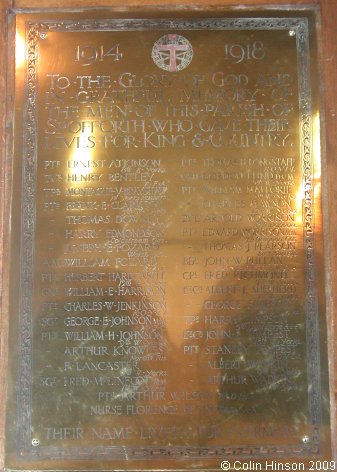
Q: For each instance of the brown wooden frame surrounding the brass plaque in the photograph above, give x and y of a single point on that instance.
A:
(328, 56)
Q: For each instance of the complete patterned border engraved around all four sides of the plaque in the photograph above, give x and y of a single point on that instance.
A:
(24, 396)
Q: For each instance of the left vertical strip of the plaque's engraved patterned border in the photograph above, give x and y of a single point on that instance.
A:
(24, 392)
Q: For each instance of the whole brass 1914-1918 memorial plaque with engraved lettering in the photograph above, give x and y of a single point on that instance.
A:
(167, 285)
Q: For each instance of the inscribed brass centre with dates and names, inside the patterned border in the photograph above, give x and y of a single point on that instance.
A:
(169, 241)
